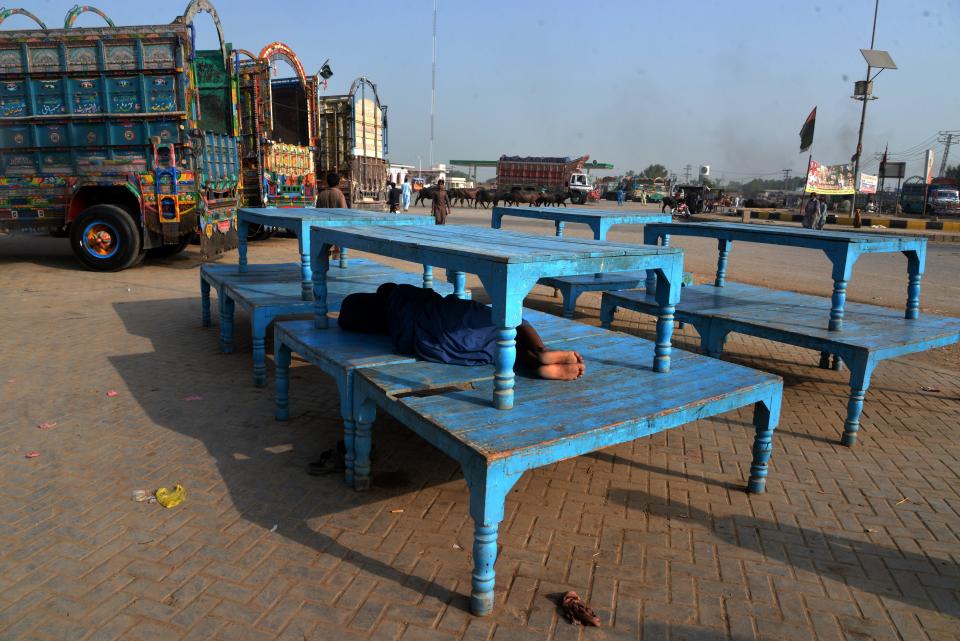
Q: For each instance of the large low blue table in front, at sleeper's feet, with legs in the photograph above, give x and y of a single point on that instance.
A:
(619, 399)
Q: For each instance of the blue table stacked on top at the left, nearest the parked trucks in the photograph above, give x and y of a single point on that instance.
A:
(298, 221)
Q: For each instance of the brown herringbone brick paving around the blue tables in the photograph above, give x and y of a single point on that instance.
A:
(657, 535)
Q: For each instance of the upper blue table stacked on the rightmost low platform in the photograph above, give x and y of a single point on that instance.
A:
(842, 248)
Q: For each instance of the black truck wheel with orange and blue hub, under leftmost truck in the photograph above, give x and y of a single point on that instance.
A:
(105, 238)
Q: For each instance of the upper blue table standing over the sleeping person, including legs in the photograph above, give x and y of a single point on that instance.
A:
(508, 264)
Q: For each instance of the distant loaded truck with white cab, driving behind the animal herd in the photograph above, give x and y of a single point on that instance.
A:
(546, 174)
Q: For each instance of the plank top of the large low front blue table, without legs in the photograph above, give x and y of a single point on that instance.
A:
(619, 388)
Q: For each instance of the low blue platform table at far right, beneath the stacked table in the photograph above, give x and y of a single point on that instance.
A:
(870, 333)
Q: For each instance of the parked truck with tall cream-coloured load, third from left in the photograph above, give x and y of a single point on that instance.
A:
(353, 143)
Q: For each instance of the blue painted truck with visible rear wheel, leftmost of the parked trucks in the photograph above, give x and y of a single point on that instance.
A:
(123, 139)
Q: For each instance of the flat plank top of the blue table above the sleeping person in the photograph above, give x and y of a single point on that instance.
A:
(490, 245)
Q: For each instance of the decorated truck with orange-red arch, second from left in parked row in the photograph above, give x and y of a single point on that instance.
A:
(277, 131)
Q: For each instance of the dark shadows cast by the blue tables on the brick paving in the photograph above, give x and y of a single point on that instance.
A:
(262, 465)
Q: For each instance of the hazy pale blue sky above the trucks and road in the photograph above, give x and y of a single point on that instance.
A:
(727, 84)
